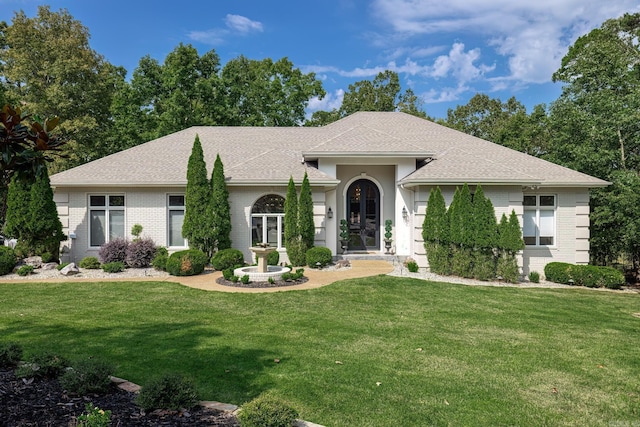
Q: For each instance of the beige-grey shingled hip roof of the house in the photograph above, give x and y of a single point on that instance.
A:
(269, 156)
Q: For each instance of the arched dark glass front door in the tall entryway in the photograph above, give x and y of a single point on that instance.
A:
(363, 215)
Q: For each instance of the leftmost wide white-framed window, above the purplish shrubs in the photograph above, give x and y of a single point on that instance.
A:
(106, 218)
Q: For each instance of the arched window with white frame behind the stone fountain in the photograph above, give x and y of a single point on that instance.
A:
(266, 221)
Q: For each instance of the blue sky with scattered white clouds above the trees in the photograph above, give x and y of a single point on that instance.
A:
(446, 51)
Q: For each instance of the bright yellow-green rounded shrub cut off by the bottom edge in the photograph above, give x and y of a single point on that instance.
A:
(266, 411)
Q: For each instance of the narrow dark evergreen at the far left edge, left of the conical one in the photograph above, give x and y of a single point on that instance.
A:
(18, 199)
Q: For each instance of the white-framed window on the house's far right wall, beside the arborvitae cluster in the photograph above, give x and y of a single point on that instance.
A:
(539, 220)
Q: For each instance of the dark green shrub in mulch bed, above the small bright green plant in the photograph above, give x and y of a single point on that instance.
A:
(87, 376)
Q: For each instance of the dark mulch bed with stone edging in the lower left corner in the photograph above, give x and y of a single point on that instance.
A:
(44, 403)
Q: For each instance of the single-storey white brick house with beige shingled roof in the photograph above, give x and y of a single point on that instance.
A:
(366, 168)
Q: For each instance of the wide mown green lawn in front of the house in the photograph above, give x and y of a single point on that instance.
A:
(411, 352)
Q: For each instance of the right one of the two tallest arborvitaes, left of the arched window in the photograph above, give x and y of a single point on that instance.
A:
(220, 209)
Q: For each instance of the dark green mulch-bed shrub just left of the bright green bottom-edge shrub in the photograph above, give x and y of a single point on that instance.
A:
(171, 391)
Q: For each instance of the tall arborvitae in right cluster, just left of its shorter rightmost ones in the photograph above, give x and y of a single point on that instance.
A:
(485, 233)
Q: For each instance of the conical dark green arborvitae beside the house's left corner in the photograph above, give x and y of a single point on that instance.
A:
(43, 223)
